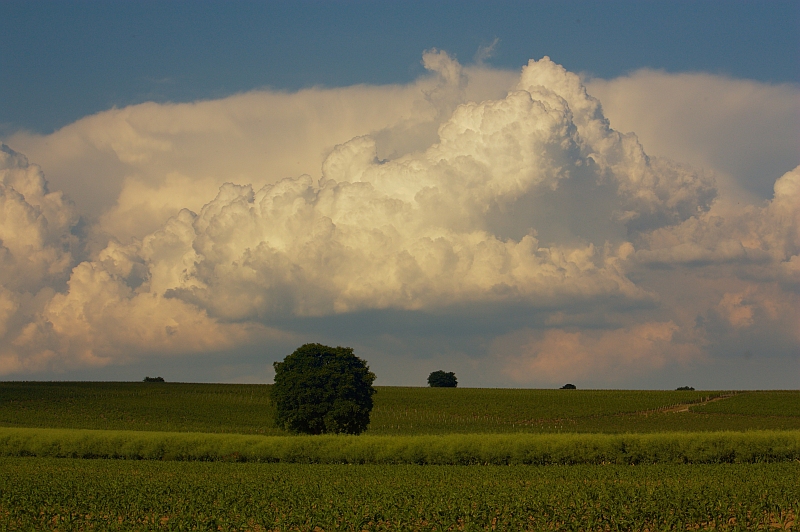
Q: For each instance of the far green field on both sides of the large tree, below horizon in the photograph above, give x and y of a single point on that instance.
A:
(247, 409)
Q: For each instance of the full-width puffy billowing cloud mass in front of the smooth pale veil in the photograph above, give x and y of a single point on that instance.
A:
(531, 201)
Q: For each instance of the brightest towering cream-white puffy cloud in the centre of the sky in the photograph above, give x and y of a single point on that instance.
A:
(437, 228)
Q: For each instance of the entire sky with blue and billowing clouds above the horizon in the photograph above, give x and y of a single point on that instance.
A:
(524, 193)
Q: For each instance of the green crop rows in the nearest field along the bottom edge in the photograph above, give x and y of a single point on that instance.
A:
(123, 495)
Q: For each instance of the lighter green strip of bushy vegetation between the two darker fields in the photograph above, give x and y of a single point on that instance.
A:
(499, 449)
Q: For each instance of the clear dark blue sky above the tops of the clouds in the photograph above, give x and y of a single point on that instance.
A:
(60, 61)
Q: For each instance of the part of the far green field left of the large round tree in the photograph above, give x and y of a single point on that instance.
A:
(245, 409)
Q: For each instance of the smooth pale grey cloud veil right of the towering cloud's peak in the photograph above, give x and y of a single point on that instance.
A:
(744, 131)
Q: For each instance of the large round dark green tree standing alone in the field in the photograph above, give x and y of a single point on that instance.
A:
(320, 389)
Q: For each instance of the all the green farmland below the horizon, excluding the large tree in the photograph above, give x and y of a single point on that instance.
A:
(187, 459)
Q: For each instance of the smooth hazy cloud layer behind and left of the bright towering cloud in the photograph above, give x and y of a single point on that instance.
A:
(139, 165)
